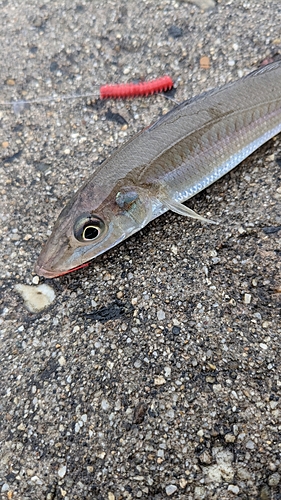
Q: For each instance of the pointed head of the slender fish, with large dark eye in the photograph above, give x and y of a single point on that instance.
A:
(91, 223)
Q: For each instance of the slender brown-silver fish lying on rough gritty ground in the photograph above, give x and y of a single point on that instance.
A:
(164, 165)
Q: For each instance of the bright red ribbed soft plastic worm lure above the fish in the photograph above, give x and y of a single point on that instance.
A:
(121, 91)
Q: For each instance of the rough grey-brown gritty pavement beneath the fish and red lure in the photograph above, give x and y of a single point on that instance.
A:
(173, 388)
